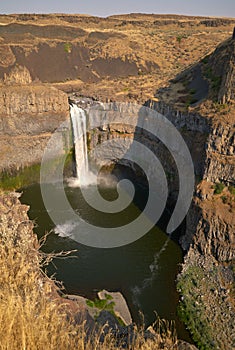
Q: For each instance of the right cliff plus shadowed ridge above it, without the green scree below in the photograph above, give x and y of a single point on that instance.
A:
(209, 227)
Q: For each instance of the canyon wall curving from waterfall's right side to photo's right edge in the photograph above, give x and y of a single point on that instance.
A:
(210, 221)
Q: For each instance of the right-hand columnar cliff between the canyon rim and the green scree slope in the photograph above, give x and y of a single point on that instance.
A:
(210, 221)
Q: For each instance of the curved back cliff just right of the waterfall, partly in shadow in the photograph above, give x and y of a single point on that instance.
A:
(194, 129)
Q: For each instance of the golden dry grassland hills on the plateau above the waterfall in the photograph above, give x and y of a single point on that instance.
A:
(159, 51)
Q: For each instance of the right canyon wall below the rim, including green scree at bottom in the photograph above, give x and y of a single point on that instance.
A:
(206, 281)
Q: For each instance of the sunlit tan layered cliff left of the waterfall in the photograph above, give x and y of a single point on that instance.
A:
(28, 117)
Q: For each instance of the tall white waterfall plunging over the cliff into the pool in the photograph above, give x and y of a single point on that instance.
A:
(78, 118)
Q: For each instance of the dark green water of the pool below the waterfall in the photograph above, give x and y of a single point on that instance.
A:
(144, 271)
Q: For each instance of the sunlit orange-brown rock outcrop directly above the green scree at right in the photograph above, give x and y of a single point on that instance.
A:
(210, 227)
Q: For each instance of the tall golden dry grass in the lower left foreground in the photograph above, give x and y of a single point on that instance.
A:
(32, 315)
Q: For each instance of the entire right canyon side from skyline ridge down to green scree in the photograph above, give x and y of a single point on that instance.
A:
(207, 303)
